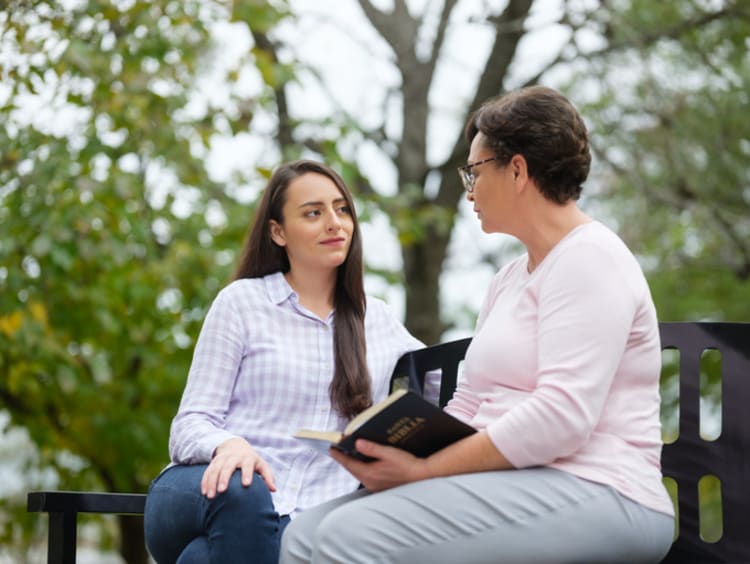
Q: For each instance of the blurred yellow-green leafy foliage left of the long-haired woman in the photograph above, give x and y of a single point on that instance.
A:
(113, 236)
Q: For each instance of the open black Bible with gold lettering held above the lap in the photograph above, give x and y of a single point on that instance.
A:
(404, 419)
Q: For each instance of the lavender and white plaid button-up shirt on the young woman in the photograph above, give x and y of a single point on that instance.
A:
(261, 370)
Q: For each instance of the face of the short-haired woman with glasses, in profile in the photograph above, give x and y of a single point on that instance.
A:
(493, 188)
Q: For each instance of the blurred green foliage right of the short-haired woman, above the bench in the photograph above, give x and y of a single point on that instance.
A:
(674, 149)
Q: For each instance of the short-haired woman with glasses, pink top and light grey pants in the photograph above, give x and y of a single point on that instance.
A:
(561, 380)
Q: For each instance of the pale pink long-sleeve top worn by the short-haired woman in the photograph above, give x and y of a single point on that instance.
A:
(564, 367)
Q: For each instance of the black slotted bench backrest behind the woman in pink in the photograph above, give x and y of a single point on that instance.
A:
(690, 457)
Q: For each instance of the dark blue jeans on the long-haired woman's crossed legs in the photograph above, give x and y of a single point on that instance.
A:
(183, 526)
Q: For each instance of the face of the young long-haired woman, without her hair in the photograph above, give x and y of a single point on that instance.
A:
(317, 225)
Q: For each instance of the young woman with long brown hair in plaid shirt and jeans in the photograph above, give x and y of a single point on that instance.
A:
(293, 342)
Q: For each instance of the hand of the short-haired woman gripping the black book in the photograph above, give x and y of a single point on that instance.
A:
(392, 468)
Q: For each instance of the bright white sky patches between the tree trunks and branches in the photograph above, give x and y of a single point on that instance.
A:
(336, 40)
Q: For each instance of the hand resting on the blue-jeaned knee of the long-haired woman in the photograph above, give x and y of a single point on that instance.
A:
(229, 456)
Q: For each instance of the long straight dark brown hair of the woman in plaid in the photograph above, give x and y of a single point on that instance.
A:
(350, 390)
